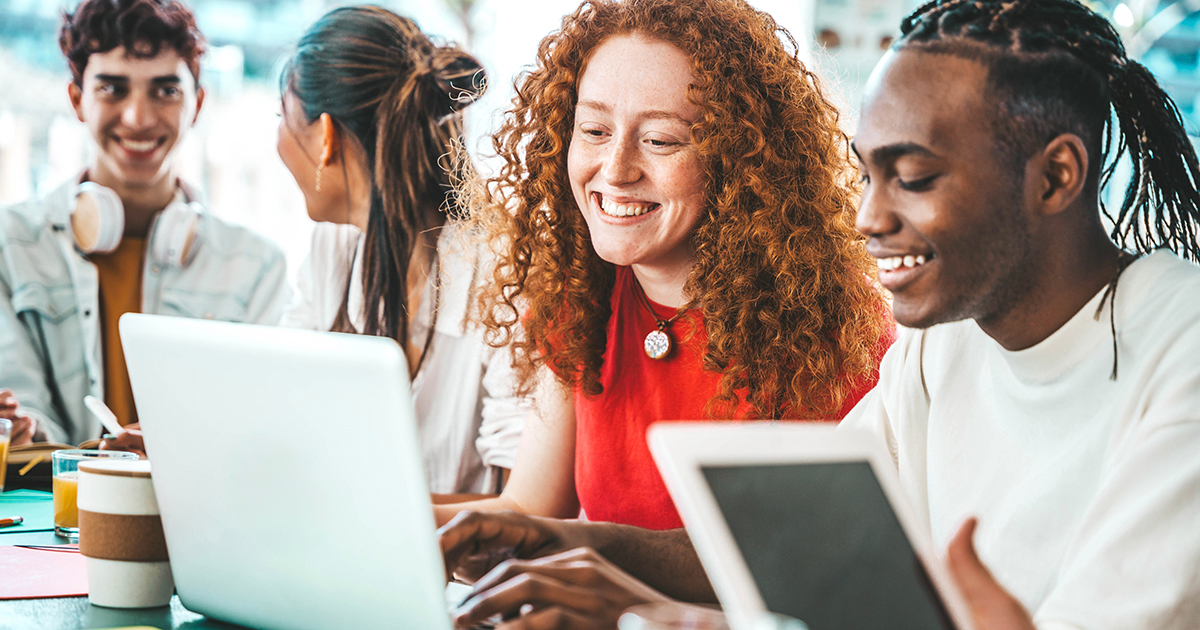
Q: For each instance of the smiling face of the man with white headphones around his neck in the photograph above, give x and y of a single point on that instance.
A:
(137, 111)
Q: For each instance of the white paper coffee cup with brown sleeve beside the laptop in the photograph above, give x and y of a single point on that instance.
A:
(121, 533)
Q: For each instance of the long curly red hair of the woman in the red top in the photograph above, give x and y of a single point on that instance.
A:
(782, 278)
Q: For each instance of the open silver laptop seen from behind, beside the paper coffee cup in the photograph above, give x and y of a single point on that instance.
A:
(289, 475)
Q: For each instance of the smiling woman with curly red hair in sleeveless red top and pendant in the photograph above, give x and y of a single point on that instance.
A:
(676, 237)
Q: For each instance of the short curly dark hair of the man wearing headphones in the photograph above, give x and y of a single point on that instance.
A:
(142, 27)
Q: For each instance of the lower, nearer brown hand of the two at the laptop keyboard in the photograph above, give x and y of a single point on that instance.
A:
(577, 590)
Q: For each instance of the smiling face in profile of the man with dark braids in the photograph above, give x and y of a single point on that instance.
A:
(944, 214)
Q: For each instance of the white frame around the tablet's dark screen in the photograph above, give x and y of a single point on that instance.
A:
(682, 449)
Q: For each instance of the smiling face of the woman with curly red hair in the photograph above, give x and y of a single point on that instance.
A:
(634, 170)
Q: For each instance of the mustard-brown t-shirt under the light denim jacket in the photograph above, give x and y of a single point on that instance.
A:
(121, 292)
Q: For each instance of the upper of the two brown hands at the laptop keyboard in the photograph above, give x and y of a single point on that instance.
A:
(475, 543)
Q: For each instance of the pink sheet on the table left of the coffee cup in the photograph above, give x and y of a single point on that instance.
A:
(43, 573)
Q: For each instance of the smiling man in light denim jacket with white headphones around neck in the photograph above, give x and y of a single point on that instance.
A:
(125, 236)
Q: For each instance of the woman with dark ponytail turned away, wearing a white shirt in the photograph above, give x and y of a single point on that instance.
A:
(371, 131)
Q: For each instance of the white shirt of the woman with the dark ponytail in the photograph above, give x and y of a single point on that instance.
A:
(469, 418)
